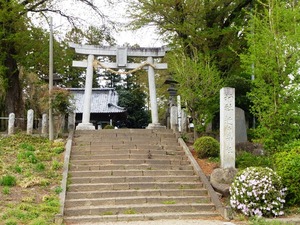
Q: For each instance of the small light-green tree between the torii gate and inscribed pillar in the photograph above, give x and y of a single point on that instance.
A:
(199, 83)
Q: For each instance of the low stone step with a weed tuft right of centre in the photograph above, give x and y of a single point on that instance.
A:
(165, 200)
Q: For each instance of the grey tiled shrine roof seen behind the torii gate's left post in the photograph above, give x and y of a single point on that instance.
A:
(103, 100)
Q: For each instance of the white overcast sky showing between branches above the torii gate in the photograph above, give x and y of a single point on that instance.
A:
(146, 37)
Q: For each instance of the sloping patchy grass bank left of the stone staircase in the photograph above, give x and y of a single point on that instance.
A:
(30, 173)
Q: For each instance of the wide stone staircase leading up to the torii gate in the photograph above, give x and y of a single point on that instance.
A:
(132, 174)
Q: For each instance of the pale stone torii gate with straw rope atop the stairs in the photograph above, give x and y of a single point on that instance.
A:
(121, 54)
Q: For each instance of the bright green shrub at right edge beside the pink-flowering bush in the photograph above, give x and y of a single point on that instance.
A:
(287, 165)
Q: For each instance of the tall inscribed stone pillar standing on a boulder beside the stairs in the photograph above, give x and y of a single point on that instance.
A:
(227, 127)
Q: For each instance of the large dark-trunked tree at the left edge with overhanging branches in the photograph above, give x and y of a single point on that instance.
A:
(17, 40)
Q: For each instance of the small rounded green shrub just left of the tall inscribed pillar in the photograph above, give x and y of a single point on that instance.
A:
(207, 147)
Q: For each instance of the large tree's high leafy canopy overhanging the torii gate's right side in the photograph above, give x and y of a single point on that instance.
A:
(212, 27)
